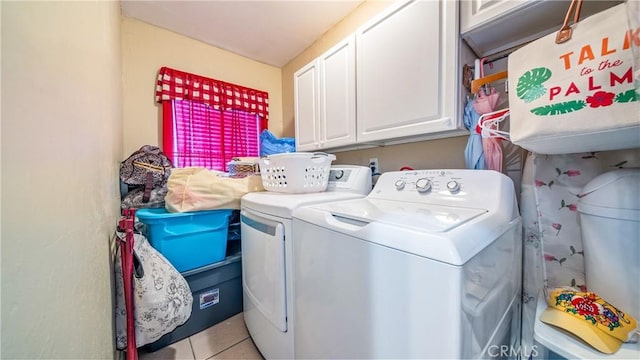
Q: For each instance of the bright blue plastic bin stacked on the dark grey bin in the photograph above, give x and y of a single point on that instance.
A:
(188, 240)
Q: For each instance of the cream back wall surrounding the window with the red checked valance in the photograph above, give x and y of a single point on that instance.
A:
(146, 48)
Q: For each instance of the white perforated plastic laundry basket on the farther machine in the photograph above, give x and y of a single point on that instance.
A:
(300, 172)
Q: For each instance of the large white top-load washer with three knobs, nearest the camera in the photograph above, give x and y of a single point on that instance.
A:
(428, 266)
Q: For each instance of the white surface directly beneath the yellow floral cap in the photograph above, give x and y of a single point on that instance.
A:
(569, 346)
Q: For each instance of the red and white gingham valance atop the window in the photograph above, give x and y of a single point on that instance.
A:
(178, 85)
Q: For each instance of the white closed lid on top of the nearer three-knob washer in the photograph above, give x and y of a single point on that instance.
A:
(423, 217)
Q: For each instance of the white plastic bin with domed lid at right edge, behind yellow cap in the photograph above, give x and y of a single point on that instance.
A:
(609, 211)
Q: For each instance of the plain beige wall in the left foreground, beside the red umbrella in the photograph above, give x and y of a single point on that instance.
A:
(61, 146)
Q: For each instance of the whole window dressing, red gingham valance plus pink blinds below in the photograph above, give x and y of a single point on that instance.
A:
(207, 122)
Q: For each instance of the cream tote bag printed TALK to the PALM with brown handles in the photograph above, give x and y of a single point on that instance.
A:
(573, 91)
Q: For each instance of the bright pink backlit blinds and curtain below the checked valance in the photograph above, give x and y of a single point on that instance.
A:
(203, 136)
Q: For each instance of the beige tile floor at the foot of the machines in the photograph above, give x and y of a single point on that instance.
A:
(228, 339)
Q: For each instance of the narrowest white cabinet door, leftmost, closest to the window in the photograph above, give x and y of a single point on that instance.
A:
(307, 112)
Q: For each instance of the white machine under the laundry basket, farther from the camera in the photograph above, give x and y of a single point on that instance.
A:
(267, 256)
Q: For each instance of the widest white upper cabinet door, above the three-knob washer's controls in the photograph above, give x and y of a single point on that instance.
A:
(406, 65)
